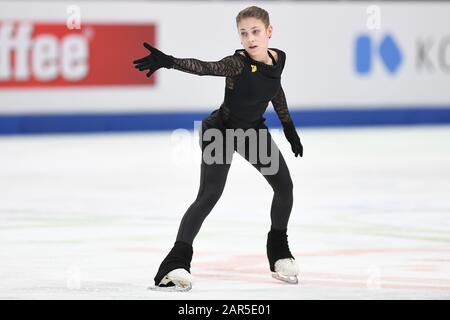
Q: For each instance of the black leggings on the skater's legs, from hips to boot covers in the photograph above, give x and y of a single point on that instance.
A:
(212, 182)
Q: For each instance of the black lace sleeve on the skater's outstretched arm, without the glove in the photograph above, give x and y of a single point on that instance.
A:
(227, 67)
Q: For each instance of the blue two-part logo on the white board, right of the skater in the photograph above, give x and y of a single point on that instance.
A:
(388, 50)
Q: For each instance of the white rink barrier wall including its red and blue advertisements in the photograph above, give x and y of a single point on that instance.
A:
(336, 54)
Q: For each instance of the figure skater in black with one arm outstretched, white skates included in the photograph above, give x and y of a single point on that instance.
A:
(253, 77)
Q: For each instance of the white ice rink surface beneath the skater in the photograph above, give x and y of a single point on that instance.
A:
(92, 216)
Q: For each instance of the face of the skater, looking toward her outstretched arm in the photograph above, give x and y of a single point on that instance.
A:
(254, 36)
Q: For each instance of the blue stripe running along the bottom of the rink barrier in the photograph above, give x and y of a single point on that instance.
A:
(153, 121)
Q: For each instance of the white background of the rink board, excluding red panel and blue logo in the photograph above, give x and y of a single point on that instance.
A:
(318, 39)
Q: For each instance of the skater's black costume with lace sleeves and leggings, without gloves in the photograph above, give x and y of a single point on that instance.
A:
(249, 86)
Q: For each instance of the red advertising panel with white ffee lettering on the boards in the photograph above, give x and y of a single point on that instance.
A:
(50, 55)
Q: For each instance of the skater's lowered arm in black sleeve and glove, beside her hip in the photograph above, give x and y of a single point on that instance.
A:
(280, 106)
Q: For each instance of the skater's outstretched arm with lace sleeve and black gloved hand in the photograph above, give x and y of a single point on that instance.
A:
(226, 67)
